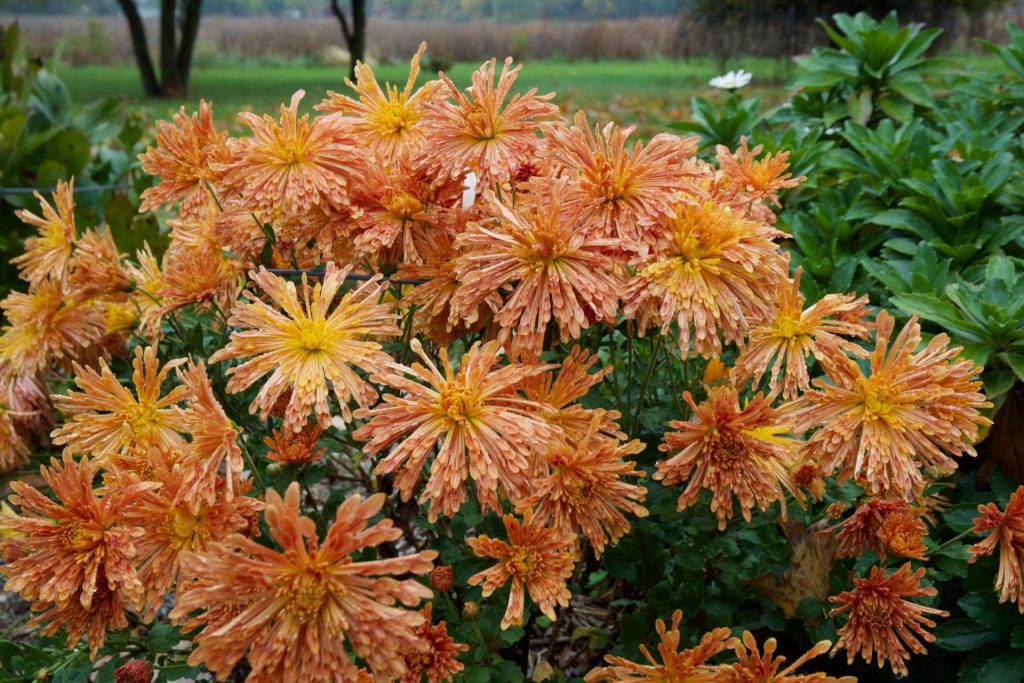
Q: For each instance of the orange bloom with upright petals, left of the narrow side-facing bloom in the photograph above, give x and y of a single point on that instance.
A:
(106, 418)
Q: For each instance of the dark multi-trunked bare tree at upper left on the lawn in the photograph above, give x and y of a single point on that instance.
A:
(179, 30)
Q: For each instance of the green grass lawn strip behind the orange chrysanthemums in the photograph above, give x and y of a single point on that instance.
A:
(648, 94)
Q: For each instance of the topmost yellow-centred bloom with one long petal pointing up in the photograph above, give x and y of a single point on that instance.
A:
(392, 122)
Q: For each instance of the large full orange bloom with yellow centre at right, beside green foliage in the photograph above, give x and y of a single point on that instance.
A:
(913, 411)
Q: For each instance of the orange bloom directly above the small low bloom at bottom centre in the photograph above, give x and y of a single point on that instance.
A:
(583, 488)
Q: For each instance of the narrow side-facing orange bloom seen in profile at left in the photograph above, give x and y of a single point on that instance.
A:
(215, 437)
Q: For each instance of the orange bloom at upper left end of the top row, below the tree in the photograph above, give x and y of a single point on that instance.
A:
(184, 160)
